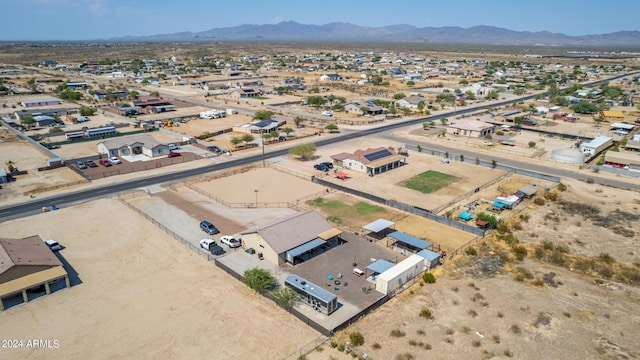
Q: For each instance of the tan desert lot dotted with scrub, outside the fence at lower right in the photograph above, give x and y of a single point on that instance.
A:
(480, 309)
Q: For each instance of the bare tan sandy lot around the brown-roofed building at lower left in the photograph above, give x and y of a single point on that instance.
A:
(143, 295)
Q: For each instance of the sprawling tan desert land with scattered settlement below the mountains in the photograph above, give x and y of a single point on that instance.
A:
(557, 276)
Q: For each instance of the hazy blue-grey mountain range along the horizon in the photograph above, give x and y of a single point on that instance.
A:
(339, 31)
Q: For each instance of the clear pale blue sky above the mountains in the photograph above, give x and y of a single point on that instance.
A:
(103, 19)
